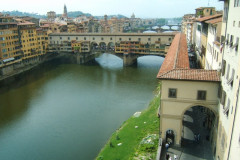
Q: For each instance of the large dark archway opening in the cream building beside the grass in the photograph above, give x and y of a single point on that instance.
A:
(199, 130)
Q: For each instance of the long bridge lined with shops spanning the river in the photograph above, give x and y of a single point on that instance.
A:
(128, 46)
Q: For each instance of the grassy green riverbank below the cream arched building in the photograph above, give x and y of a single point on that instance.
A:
(137, 138)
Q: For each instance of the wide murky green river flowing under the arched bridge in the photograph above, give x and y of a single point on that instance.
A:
(68, 111)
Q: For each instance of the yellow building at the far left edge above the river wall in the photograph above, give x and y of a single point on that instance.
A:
(9, 43)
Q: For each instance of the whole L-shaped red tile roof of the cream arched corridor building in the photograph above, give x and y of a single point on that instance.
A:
(176, 64)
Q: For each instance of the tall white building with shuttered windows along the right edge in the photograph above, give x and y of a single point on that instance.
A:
(228, 143)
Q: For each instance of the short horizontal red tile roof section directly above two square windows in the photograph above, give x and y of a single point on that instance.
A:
(191, 75)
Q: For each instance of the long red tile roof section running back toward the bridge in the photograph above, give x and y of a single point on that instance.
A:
(177, 56)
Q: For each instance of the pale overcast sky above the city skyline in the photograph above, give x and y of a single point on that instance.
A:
(141, 8)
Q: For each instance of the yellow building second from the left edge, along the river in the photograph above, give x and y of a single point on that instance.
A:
(28, 39)
